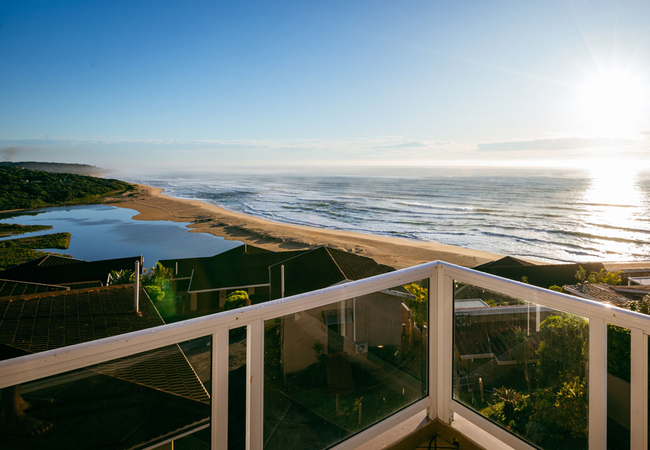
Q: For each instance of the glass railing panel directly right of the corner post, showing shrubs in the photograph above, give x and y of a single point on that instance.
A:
(522, 365)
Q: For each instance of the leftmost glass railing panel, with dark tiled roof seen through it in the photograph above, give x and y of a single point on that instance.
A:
(141, 401)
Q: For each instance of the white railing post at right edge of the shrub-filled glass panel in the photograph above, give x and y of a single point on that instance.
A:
(597, 384)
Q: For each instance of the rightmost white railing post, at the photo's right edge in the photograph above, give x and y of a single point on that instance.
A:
(639, 390)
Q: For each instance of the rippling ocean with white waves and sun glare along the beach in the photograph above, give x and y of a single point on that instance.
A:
(547, 215)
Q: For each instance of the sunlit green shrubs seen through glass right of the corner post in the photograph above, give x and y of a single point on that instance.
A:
(550, 409)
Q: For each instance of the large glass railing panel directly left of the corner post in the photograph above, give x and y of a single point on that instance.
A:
(332, 371)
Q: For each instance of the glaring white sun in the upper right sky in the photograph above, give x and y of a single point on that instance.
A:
(613, 101)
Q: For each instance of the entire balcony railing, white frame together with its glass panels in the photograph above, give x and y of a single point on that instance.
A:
(360, 360)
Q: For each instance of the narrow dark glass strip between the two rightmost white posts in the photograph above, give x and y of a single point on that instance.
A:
(618, 387)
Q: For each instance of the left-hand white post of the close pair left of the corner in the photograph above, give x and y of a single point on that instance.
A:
(220, 371)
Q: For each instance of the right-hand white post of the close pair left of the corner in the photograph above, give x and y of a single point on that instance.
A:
(254, 384)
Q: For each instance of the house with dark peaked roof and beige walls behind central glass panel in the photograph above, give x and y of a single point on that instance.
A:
(352, 327)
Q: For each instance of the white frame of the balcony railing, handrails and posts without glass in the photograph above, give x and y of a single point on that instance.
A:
(441, 275)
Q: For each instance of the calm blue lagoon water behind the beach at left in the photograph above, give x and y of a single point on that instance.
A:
(105, 232)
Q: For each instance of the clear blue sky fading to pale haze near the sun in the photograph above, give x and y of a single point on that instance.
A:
(208, 84)
